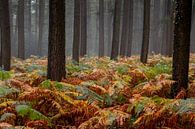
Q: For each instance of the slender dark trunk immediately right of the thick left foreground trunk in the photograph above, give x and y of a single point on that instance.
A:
(76, 38)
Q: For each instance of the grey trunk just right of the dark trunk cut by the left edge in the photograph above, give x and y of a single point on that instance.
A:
(21, 48)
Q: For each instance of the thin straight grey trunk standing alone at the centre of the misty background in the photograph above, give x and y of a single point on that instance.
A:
(101, 28)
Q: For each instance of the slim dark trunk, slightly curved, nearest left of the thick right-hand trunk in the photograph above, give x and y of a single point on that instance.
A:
(146, 32)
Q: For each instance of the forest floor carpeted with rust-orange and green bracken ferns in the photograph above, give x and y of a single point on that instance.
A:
(97, 94)
